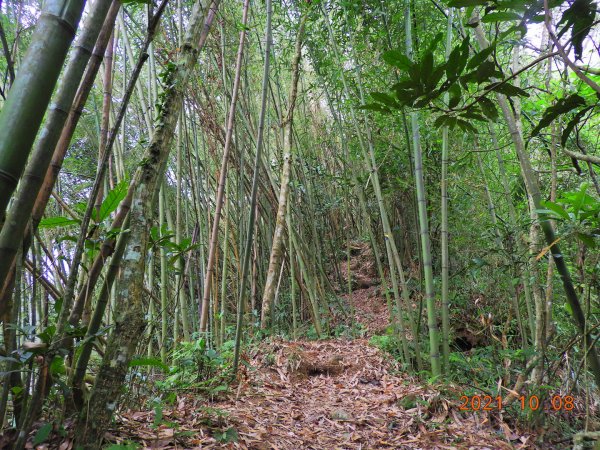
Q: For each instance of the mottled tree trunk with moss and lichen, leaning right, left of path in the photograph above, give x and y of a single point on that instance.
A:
(129, 313)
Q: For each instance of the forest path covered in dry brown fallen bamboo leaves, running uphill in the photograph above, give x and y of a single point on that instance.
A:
(336, 393)
